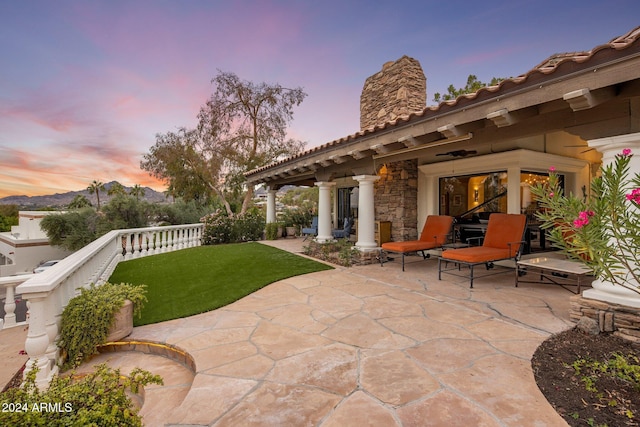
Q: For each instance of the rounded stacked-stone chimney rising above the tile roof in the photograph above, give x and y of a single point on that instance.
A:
(399, 89)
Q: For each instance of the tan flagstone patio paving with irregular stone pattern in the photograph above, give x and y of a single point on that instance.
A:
(365, 345)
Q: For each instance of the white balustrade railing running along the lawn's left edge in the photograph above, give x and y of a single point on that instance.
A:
(49, 292)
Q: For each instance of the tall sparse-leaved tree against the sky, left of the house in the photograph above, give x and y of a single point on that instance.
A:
(241, 127)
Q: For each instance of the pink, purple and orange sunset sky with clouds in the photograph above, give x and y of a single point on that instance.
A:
(86, 85)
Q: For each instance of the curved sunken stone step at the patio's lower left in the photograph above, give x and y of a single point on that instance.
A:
(174, 366)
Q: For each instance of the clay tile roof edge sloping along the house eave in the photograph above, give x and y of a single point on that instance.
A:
(546, 68)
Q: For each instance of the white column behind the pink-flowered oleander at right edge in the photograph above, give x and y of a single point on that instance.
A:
(610, 147)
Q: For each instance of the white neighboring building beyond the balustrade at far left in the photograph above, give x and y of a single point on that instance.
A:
(26, 246)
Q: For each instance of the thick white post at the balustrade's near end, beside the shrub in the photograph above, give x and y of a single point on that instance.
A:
(37, 342)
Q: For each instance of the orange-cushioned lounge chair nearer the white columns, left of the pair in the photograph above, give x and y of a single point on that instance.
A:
(435, 233)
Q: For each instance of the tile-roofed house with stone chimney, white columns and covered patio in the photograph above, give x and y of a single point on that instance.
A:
(475, 154)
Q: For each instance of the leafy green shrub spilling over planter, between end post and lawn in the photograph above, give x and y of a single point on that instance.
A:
(87, 318)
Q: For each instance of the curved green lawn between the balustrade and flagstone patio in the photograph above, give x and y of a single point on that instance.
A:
(196, 280)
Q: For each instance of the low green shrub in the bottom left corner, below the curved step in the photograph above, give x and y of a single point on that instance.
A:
(96, 399)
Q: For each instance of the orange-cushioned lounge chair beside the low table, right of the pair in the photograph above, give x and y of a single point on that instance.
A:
(503, 240)
